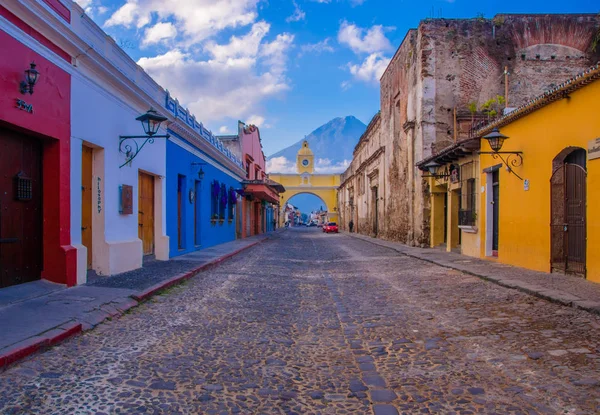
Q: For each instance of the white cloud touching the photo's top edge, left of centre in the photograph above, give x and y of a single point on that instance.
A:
(195, 19)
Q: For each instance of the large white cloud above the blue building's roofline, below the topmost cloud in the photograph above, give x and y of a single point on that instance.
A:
(233, 83)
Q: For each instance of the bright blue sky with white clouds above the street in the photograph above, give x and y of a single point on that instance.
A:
(286, 66)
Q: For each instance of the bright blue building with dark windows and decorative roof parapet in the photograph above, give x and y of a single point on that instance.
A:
(202, 184)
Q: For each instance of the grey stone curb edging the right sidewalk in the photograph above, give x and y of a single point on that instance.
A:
(557, 297)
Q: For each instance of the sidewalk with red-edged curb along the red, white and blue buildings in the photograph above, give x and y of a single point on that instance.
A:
(36, 315)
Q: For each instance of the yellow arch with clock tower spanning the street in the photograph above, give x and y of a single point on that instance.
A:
(323, 186)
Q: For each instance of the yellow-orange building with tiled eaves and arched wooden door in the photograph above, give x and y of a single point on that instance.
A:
(532, 201)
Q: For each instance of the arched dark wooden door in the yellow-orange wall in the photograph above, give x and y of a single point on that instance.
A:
(568, 220)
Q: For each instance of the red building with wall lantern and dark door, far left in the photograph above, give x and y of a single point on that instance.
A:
(34, 152)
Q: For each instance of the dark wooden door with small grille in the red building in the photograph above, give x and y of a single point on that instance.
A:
(20, 208)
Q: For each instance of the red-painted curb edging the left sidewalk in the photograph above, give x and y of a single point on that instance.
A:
(52, 337)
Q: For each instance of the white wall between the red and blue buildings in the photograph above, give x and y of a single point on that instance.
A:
(98, 116)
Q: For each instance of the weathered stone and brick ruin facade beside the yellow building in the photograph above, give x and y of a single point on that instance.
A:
(439, 69)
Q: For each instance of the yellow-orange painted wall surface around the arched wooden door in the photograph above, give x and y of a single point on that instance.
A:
(524, 215)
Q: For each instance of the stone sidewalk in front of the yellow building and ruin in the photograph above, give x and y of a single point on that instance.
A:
(563, 289)
